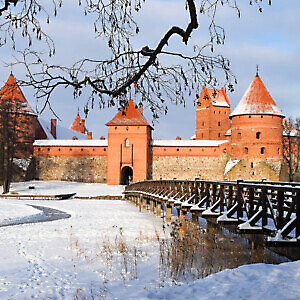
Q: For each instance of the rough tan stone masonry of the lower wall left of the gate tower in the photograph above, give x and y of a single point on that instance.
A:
(80, 169)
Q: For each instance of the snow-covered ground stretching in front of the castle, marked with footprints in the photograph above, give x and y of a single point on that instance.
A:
(56, 260)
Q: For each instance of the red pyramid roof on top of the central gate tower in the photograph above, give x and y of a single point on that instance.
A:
(129, 115)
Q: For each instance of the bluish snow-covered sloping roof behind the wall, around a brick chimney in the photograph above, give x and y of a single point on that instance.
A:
(62, 133)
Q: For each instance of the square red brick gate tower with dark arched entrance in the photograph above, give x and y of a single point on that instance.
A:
(129, 146)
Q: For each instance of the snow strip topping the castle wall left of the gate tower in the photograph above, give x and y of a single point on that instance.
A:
(73, 143)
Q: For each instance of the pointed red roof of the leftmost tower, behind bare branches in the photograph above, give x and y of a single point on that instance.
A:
(12, 92)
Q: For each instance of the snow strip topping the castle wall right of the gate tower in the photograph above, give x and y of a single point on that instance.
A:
(189, 143)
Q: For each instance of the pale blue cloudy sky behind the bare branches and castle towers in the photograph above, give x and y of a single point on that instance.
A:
(270, 39)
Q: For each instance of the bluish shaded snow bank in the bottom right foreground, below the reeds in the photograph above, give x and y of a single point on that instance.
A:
(258, 281)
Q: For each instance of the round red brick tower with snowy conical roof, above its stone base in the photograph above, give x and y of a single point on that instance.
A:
(256, 130)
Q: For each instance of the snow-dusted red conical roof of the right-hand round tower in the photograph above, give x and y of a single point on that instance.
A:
(257, 100)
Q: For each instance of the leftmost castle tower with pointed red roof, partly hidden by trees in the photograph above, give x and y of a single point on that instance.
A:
(13, 100)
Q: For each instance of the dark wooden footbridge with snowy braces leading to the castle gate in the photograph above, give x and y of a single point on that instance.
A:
(268, 209)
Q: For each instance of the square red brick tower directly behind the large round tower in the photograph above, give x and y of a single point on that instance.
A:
(212, 115)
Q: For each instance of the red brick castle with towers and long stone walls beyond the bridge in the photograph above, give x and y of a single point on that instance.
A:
(245, 143)
